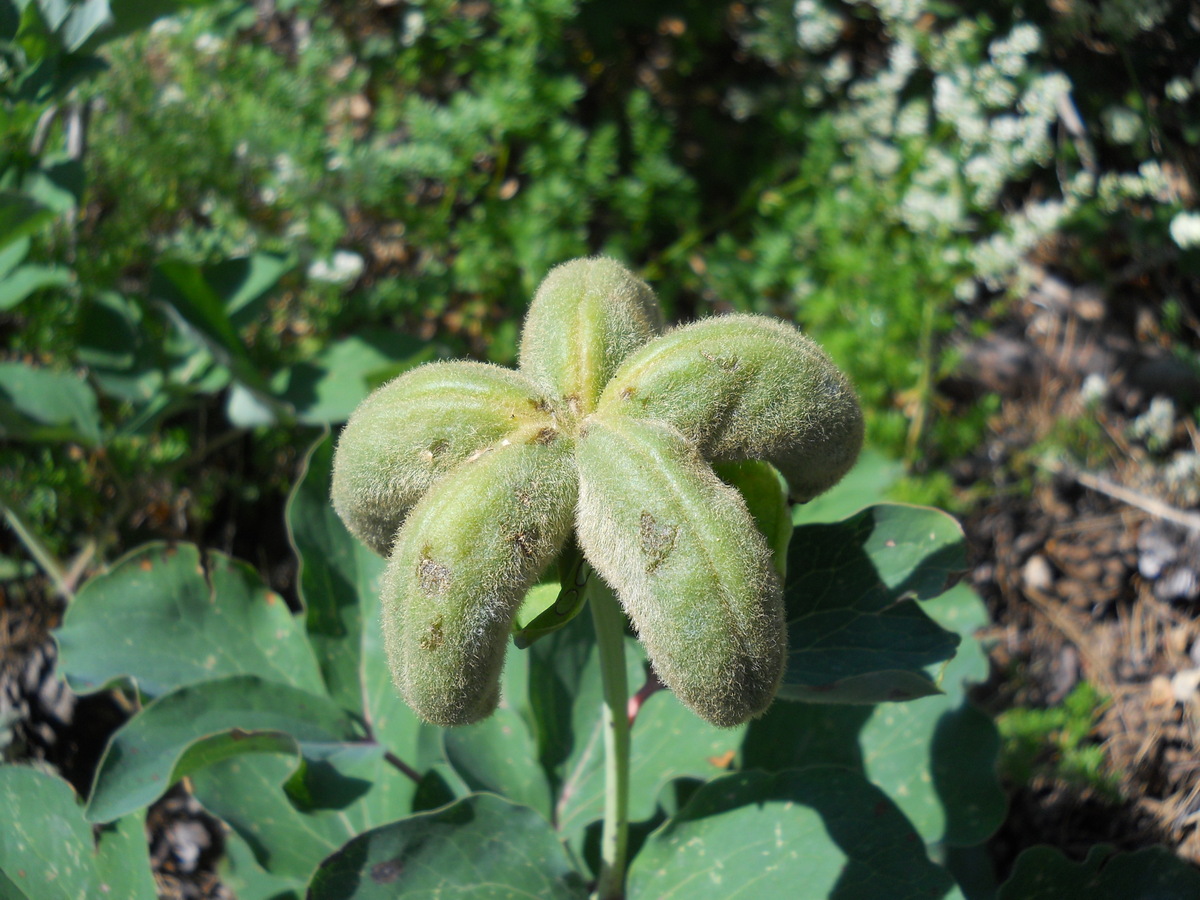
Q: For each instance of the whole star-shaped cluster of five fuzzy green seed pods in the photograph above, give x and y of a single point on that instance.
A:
(472, 479)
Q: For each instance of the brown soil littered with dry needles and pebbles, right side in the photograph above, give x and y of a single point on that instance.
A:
(1088, 553)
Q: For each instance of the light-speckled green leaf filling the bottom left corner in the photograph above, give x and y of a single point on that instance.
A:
(49, 853)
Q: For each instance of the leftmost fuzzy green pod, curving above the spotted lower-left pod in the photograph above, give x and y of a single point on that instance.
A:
(413, 430)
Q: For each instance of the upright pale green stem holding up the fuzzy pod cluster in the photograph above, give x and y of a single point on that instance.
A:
(610, 626)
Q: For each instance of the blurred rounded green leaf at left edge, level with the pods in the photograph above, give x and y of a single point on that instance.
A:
(43, 405)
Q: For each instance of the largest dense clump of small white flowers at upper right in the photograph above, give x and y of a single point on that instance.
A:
(999, 112)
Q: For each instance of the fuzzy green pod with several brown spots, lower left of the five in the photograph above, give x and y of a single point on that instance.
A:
(464, 560)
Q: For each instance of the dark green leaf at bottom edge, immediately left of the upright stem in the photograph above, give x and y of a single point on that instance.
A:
(481, 848)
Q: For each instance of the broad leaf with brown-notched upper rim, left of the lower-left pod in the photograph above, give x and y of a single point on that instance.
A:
(164, 620)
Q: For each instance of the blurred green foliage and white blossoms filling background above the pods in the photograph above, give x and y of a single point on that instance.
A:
(226, 225)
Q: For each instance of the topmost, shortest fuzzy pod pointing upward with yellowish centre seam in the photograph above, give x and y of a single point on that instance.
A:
(587, 316)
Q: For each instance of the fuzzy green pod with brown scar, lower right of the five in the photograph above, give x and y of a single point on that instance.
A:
(682, 553)
